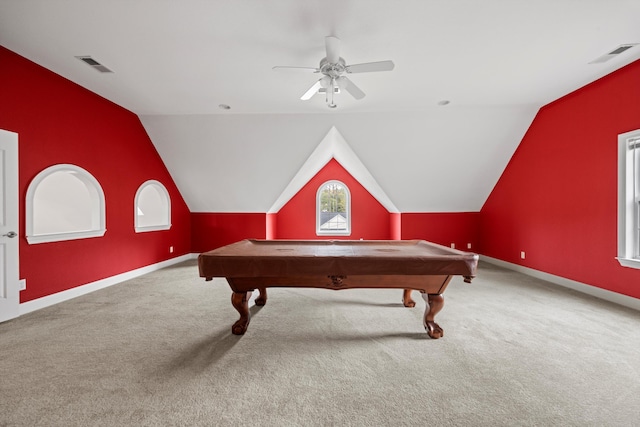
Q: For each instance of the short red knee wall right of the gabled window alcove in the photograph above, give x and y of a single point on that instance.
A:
(461, 229)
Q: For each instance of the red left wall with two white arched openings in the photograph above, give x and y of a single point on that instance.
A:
(60, 122)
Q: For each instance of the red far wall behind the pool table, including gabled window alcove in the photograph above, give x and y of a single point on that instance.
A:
(297, 220)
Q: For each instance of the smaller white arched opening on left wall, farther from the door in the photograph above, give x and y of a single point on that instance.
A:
(152, 207)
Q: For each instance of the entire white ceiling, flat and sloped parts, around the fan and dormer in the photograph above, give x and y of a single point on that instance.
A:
(174, 62)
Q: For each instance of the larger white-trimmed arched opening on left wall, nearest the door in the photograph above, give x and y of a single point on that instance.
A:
(64, 202)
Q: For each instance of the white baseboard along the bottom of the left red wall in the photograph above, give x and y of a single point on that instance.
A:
(49, 300)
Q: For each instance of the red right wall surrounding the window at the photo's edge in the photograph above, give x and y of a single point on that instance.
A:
(557, 198)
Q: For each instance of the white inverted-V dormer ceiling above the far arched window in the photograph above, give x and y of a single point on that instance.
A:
(333, 146)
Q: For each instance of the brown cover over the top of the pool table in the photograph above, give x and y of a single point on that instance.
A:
(276, 258)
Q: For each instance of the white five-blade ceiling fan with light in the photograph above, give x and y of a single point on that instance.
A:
(333, 68)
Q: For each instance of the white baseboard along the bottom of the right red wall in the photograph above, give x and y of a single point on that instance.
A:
(604, 294)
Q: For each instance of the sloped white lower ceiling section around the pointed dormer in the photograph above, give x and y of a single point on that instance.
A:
(423, 160)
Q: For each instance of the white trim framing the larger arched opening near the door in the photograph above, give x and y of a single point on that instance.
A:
(98, 227)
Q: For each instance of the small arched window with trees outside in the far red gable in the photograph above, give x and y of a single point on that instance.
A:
(333, 209)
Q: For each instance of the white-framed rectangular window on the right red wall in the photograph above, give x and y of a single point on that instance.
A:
(629, 199)
